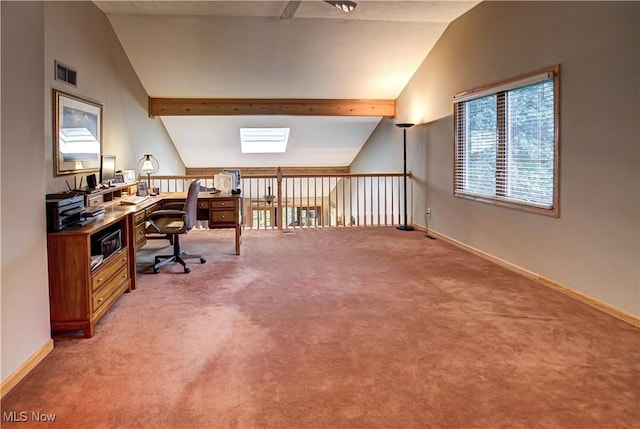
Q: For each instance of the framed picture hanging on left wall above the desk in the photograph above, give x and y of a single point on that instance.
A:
(77, 134)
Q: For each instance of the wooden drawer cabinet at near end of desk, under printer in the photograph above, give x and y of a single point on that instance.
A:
(78, 295)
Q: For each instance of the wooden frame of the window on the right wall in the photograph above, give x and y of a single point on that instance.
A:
(499, 89)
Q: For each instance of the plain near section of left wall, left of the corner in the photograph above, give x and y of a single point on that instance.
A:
(24, 287)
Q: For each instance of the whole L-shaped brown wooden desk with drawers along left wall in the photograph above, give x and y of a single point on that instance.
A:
(80, 296)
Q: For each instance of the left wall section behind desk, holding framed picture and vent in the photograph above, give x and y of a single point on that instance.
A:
(79, 35)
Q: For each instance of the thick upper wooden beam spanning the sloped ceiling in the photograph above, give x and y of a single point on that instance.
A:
(245, 106)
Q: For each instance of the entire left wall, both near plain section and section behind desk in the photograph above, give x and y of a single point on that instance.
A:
(34, 34)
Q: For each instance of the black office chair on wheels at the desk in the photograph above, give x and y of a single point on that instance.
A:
(173, 223)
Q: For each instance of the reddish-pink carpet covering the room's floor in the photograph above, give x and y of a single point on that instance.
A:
(340, 328)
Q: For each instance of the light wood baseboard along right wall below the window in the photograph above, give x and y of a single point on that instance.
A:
(579, 296)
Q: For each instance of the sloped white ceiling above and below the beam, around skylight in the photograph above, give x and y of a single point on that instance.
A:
(242, 49)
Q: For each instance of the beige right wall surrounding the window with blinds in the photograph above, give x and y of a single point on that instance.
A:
(594, 246)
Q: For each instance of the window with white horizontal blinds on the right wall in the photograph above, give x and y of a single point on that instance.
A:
(506, 143)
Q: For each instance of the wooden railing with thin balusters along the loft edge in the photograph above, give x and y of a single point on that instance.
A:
(311, 201)
